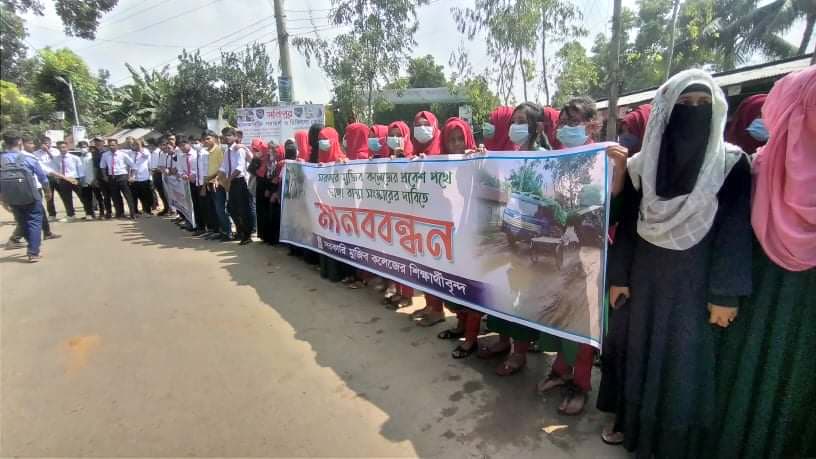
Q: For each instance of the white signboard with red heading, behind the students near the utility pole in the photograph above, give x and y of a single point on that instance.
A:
(278, 123)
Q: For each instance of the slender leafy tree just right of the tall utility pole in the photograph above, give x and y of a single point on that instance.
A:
(370, 55)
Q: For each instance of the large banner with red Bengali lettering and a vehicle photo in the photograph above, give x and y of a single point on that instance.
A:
(518, 235)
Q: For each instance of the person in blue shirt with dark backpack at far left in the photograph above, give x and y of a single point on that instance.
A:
(28, 216)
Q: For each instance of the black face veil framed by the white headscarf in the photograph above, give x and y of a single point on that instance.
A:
(683, 147)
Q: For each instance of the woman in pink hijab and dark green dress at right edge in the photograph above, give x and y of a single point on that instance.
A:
(765, 390)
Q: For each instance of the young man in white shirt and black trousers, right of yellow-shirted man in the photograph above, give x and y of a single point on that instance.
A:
(233, 174)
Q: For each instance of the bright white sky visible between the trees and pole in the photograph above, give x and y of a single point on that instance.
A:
(151, 33)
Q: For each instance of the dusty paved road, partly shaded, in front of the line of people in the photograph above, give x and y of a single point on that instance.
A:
(133, 339)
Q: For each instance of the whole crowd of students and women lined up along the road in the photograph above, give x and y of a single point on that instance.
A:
(712, 248)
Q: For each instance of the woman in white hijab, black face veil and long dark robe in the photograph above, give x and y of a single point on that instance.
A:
(678, 265)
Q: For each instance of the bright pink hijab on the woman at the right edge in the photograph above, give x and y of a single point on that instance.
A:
(784, 208)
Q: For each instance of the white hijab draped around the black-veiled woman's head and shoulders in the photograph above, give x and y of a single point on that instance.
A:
(681, 222)
